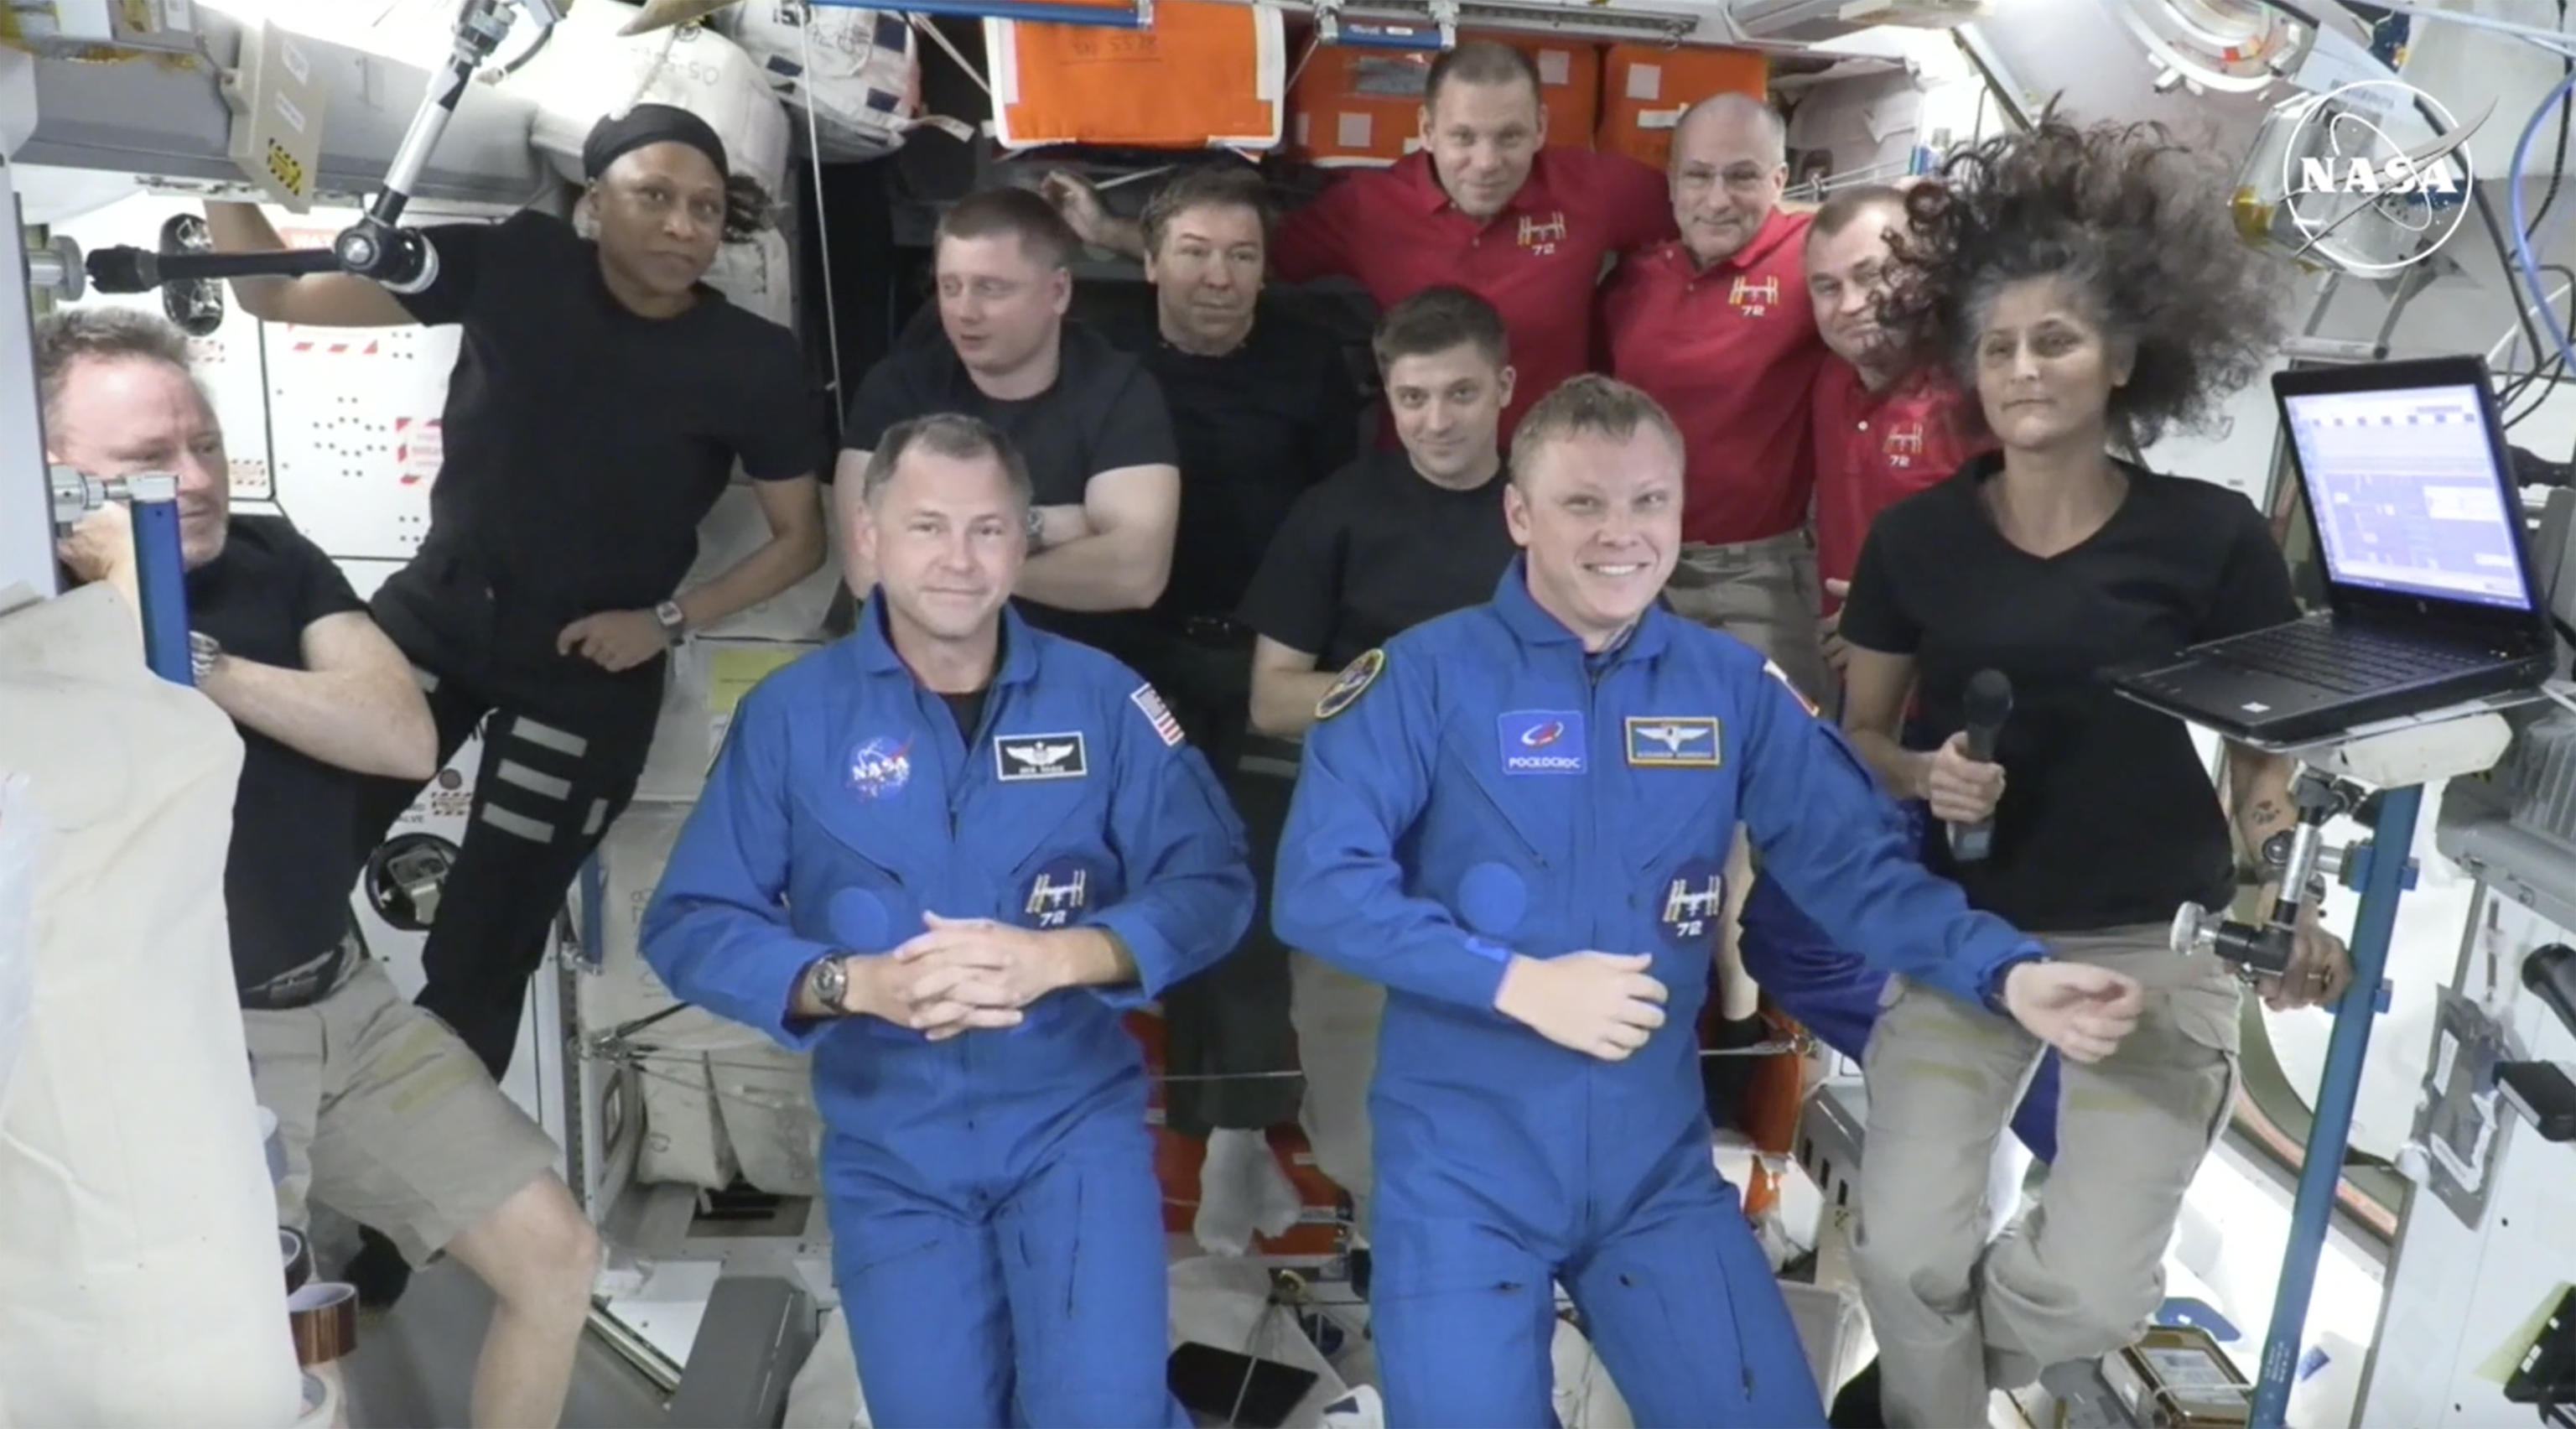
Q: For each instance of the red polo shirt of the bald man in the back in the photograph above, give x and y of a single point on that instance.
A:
(1732, 354)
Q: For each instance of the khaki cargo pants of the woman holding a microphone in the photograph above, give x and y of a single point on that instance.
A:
(2085, 1268)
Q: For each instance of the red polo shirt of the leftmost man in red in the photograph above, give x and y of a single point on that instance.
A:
(1539, 261)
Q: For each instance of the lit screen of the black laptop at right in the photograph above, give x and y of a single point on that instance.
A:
(2407, 493)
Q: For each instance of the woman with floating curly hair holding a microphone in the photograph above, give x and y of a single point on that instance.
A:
(2093, 295)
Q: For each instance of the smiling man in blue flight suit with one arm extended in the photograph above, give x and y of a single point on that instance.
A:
(1516, 817)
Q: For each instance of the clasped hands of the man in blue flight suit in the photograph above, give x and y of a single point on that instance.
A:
(960, 977)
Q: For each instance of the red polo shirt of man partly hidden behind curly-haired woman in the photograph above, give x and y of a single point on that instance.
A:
(1877, 449)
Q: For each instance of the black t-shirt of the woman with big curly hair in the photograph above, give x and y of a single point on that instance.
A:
(2108, 812)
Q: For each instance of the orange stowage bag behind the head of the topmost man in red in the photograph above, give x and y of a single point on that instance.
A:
(1364, 107)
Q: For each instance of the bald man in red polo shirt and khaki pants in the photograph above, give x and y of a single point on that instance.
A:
(1722, 333)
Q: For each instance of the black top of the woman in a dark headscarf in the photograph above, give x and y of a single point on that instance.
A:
(586, 444)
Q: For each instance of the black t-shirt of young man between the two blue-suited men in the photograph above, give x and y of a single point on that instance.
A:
(1372, 555)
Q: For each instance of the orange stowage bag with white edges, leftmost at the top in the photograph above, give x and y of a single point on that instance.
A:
(1204, 76)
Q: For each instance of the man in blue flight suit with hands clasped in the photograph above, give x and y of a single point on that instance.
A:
(947, 854)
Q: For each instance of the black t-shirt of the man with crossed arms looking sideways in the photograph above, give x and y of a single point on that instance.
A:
(1104, 413)
